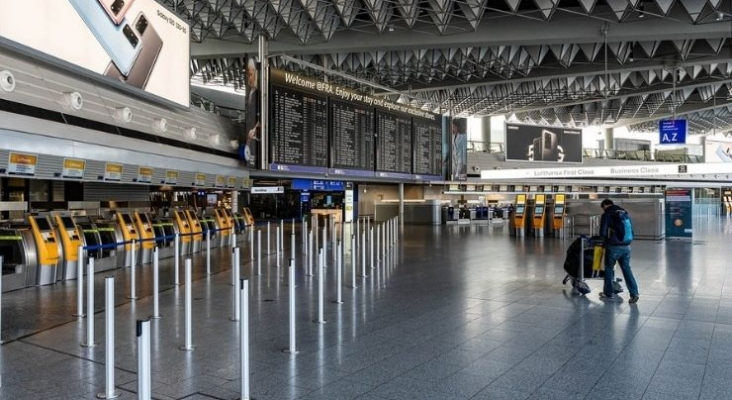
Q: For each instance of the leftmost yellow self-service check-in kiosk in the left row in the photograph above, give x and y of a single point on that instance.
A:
(47, 249)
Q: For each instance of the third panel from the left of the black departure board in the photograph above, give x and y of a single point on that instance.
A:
(394, 144)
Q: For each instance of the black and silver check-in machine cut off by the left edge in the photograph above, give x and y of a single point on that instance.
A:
(20, 259)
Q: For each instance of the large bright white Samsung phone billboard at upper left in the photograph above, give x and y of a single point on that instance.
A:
(137, 42)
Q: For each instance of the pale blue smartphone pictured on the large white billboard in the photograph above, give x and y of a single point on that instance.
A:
(119, 41)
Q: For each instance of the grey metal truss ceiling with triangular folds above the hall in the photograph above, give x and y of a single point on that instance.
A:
(574, 82)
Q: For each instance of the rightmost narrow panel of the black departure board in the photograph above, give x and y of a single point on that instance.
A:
(428, 146)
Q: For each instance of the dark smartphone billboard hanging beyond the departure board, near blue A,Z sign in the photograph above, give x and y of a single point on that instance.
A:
(543, 143)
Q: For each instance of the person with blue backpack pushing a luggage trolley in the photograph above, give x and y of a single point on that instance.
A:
(617, 232)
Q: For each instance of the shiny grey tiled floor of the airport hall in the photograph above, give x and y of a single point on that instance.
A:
(454, 313)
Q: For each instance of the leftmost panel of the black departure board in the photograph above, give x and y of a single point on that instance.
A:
(299, 128)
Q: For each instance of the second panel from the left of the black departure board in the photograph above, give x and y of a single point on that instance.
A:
(352, 136)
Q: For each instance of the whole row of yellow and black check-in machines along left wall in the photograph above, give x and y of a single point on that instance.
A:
(44, 249)
